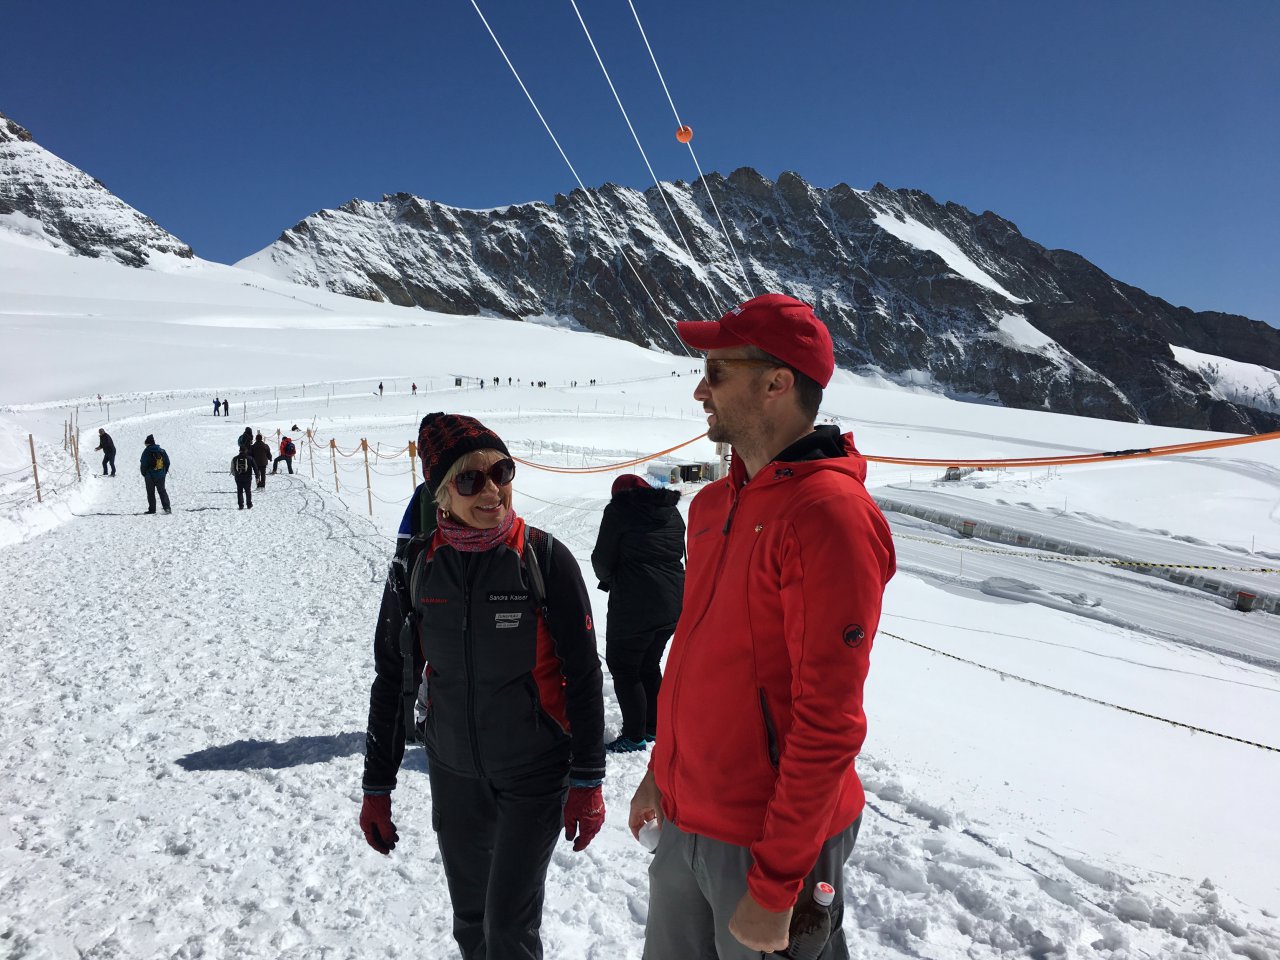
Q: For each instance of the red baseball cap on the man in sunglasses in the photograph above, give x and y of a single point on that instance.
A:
(780, 326)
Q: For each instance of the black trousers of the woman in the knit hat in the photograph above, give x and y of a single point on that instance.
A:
(497, 838)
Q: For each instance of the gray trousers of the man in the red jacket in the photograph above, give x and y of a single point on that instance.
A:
(694, 888)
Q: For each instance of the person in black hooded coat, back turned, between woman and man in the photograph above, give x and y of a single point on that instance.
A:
(638, 559)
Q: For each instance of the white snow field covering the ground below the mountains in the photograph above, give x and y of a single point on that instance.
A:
(185, 697)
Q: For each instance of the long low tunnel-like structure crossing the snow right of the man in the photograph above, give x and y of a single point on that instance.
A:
(1183, 575)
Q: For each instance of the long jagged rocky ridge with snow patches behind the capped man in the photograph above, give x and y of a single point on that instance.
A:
(926, 292)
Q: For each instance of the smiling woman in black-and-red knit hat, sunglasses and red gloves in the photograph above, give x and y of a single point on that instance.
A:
(515, 711)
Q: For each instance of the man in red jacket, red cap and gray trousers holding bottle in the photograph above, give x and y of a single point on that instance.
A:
(761, 714)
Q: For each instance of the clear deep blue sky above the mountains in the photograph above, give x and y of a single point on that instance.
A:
(1142, 135)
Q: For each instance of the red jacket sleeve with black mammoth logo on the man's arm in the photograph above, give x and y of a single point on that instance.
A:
(836, 560)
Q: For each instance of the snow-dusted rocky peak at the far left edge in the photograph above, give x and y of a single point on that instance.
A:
(53, 203)
